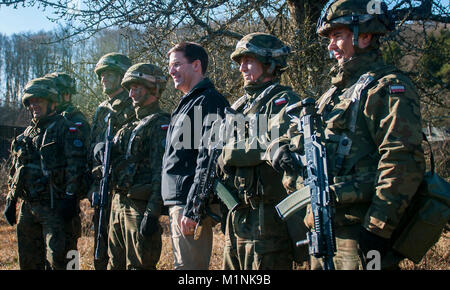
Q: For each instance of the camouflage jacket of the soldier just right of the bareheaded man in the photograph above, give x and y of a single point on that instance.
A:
(252, 172)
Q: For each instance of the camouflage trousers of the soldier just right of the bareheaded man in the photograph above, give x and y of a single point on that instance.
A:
(257, 239)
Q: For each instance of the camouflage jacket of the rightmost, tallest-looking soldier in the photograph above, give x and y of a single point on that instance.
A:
(375, 180)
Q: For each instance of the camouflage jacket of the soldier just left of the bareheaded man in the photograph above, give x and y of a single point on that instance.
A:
(136, 157)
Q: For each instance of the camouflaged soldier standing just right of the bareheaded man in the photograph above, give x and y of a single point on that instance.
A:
(255, 237)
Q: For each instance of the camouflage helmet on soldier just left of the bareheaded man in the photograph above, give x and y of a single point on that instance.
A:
(146, 74)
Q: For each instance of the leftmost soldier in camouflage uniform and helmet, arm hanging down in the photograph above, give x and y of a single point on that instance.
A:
(49, 161)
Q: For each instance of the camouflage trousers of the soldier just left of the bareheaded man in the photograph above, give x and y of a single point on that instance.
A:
(127, 248)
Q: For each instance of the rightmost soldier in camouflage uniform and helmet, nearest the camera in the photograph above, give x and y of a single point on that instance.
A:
(372, 135)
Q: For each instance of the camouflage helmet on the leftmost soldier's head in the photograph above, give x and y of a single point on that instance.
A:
(40, 88)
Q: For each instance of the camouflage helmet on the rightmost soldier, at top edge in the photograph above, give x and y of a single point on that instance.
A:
(360, 16)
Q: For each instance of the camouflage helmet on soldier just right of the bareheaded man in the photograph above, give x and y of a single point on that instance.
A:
(265, 47)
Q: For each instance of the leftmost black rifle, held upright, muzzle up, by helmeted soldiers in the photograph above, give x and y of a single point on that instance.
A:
(104, 183)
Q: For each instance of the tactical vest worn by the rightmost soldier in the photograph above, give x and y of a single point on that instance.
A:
(352, 154)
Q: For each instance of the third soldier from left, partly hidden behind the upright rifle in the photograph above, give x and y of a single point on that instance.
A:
(110, 70)
